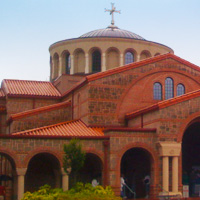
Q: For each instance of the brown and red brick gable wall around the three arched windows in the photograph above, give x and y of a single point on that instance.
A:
(110, 98)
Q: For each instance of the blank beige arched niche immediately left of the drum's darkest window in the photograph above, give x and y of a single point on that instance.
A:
(79, 61)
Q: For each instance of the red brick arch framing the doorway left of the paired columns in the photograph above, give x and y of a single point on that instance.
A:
(154, 158)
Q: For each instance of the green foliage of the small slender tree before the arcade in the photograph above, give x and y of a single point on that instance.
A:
(74, 157)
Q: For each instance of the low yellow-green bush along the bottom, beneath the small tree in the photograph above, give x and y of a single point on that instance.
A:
(79, 192)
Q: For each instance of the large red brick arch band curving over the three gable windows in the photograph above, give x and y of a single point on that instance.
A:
(146, 75)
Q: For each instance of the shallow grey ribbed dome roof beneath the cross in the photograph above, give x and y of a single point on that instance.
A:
(113, 32)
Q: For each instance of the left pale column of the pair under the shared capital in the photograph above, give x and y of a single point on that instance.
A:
(165, 174)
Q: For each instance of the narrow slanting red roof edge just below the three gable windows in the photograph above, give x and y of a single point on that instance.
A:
(164, 104)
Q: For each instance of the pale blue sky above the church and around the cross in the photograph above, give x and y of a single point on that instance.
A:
(29, 27)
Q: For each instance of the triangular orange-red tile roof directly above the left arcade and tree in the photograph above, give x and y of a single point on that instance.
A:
(74, 128)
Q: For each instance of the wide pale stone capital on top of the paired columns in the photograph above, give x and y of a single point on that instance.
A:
(169, 148)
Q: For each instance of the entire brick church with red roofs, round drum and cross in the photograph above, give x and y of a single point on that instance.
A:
(133, 104)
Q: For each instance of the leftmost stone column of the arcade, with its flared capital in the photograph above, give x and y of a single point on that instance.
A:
(20, 182)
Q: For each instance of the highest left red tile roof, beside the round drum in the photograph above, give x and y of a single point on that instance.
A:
(29, 88)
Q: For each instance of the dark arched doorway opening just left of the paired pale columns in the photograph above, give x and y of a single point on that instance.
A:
(135, 166)
